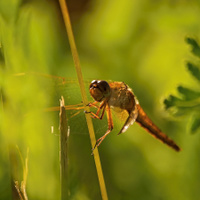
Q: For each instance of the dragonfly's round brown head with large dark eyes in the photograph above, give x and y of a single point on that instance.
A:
(99, 90)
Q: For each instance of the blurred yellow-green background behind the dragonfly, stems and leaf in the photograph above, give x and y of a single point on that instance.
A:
(139, 42)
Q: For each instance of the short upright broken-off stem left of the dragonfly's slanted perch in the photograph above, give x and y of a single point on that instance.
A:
(63, 151)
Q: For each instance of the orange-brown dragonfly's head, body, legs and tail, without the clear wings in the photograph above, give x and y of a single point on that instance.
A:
(119, 95)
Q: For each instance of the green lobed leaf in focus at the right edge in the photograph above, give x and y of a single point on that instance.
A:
(188, 100)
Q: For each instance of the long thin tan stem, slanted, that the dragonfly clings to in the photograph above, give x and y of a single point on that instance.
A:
(84, 97)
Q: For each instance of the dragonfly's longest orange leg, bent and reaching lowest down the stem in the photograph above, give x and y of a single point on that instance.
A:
(110, 127)
